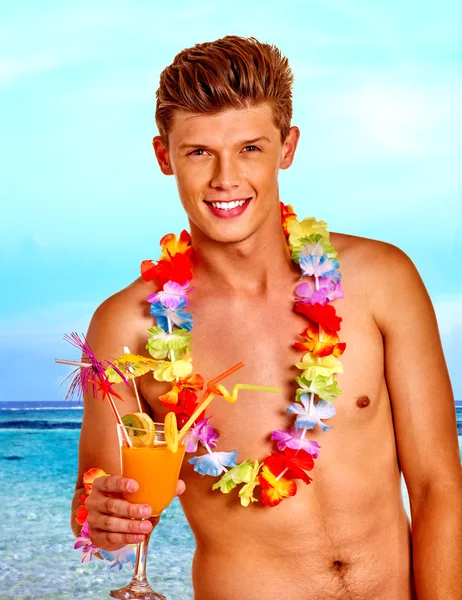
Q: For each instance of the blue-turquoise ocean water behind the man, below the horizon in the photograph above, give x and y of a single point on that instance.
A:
(38, 458)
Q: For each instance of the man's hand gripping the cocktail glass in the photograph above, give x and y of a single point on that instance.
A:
(114, 522)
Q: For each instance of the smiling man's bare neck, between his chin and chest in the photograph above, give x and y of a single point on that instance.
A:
(253, 266)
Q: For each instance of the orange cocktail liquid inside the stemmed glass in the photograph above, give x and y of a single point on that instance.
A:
(156, 469)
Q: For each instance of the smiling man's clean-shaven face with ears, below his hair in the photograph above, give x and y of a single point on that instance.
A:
(226, 168)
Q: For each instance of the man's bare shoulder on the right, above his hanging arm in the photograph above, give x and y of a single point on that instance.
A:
(382, 273)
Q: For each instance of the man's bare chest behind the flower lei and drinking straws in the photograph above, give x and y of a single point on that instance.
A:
(261, 334)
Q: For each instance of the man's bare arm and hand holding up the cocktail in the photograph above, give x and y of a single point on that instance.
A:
(113, 521)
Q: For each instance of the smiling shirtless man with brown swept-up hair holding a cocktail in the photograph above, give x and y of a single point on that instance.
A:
(346, 535)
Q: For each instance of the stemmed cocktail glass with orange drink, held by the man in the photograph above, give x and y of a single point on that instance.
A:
(156, 468)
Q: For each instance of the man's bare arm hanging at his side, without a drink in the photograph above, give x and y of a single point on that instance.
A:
(425, 426)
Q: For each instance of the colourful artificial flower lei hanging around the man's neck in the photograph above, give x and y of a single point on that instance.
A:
(169, 342)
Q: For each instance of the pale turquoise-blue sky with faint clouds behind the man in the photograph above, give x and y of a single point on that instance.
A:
(378, 91)
